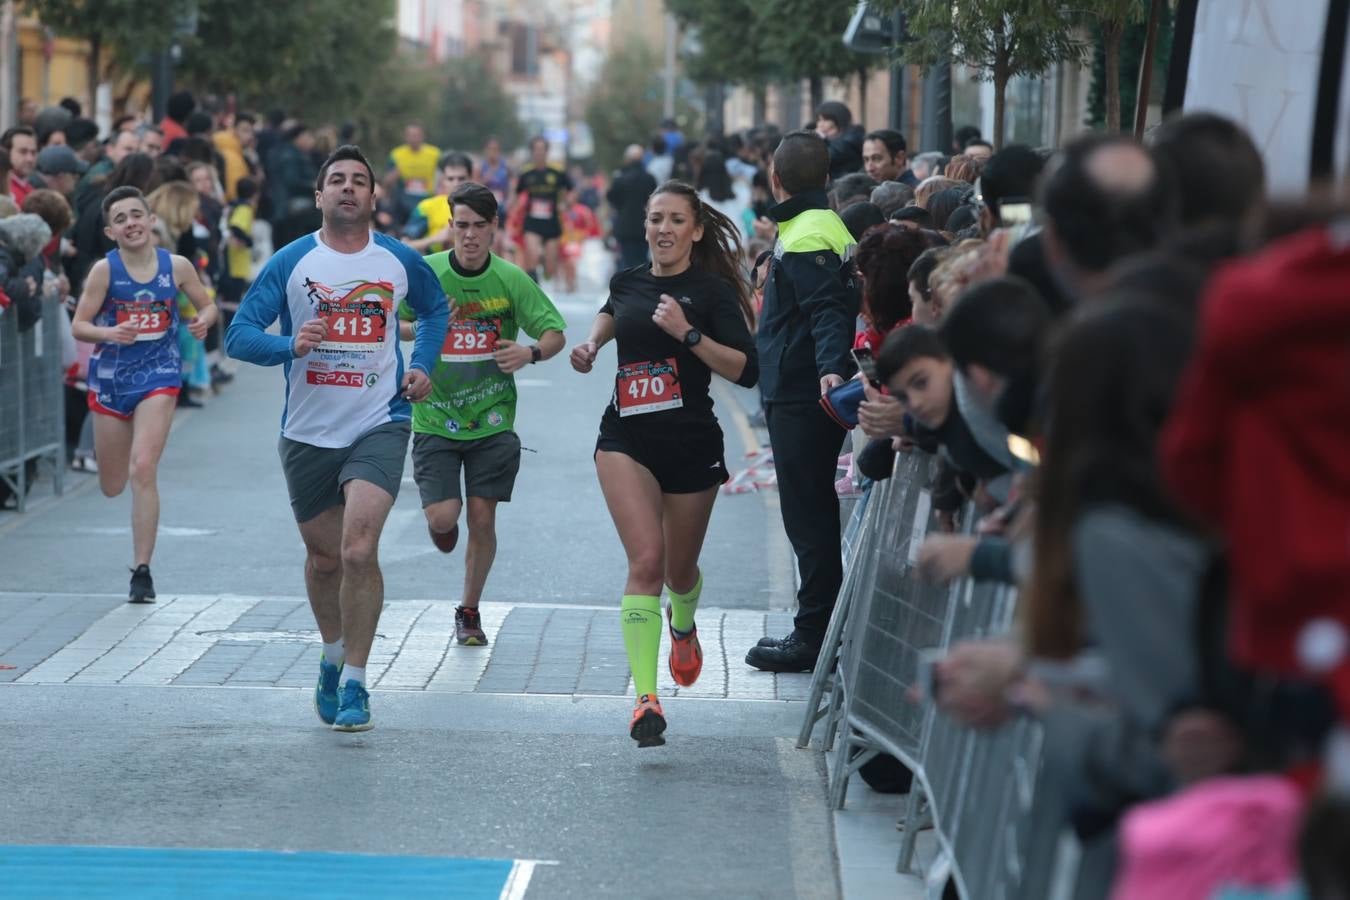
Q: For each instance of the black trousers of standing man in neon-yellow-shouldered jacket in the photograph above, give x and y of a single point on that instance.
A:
(807, 445)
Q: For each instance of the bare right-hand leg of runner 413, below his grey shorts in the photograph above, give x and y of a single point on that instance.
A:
(362, 585)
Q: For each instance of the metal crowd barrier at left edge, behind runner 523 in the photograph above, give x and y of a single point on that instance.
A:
(32, 400)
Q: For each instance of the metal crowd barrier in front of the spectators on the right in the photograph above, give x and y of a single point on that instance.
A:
(975, 789)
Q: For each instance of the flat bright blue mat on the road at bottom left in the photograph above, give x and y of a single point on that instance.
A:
(152, 874)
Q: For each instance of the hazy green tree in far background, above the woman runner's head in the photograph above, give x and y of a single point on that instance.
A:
(626, 103)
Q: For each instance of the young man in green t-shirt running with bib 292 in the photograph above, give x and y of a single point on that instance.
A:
(468, 420)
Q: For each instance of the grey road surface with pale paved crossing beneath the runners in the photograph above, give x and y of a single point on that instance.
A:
(188, 724)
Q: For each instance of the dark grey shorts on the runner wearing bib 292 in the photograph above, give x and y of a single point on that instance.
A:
(491, 466)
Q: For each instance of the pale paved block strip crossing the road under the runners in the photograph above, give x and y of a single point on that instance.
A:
(254, 642)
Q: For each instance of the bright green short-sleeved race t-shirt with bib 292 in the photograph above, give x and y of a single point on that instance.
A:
(470, 397)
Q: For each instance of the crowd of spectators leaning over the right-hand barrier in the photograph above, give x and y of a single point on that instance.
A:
(1135, 365)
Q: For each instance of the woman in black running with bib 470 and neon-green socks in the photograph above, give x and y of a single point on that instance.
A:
(659, 457)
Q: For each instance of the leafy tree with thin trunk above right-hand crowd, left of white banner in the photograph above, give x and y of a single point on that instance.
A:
(998, 38)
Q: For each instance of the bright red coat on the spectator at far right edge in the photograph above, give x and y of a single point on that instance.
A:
(1259, 443)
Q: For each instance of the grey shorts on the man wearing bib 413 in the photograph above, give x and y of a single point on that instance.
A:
(315, 476)
